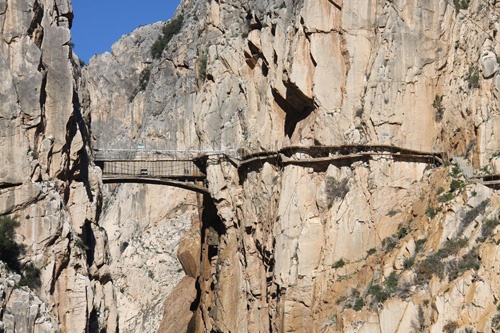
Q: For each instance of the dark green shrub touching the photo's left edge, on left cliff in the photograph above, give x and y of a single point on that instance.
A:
(9, 249)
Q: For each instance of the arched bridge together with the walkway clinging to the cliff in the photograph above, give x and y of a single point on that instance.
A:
(187, 168)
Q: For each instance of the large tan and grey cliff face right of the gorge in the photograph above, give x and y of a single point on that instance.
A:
(288, 248)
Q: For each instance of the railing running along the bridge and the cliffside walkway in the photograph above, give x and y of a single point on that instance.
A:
(185, 164)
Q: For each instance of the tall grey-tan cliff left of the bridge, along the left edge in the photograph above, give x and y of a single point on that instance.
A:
(45, 180)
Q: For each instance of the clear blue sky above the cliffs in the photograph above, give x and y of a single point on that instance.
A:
(99, 24)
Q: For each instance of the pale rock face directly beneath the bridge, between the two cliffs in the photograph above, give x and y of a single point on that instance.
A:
(144, 226)
